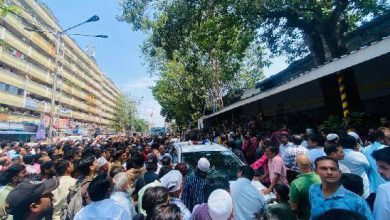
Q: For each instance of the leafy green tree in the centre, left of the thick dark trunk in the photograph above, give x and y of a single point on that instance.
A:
(199, 55)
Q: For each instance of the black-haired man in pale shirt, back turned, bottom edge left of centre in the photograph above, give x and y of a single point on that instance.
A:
(101, 207)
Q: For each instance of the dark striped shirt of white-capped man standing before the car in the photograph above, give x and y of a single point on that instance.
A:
(193, 191)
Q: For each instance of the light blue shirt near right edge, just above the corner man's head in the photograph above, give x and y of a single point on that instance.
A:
(373, 174)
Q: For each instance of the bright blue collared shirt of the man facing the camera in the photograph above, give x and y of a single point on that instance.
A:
(341, 199)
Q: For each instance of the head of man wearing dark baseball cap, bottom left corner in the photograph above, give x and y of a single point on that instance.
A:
(32, 200)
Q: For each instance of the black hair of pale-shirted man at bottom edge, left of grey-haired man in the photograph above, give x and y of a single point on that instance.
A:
(98, 188)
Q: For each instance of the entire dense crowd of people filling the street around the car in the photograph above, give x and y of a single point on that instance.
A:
(314, 175)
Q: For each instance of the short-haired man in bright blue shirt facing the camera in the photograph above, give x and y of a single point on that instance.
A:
(331, 194)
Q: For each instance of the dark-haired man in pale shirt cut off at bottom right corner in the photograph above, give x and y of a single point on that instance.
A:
(382, 200)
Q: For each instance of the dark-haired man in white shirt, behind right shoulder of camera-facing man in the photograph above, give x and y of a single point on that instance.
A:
(356, 162)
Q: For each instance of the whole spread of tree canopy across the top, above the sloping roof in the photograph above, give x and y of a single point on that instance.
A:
(216, 46)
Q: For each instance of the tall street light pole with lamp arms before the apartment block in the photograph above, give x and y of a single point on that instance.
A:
(58, 36)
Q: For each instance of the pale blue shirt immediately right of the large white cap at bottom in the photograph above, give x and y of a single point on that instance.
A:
(247, 200)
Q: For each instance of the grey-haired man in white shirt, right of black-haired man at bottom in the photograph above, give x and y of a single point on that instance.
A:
(122, 192)
